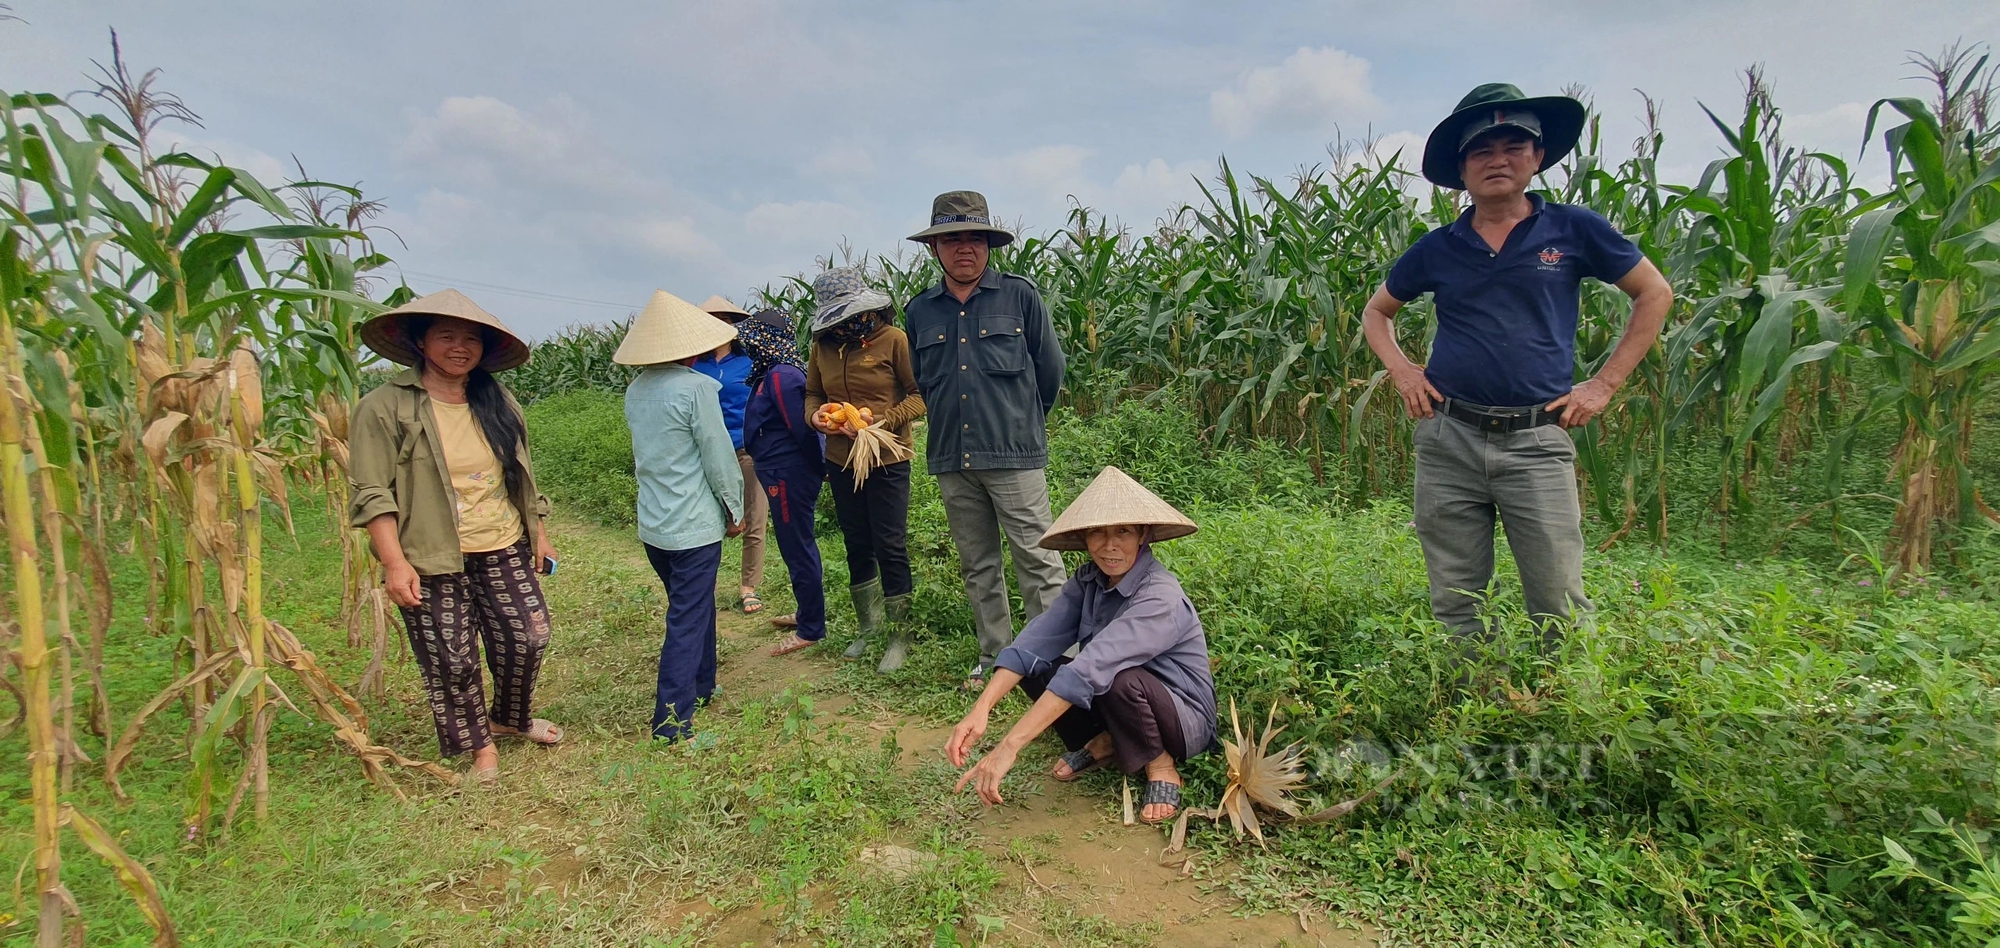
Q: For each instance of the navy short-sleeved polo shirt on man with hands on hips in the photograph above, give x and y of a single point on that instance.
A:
(1507, 321)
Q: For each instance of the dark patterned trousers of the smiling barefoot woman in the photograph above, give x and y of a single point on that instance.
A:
(495, 603)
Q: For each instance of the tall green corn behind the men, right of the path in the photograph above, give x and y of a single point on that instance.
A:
(1807, 307)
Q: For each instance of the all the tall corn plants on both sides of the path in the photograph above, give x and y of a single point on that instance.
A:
(179, 357)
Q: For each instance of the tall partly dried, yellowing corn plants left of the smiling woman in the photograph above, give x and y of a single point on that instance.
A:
(159, 361)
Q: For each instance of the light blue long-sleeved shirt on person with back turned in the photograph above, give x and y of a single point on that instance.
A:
(689, 483)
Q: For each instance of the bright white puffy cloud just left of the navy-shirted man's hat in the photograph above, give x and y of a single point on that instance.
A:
(1311, 89)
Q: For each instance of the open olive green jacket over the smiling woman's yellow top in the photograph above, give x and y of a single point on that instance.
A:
(397, 467)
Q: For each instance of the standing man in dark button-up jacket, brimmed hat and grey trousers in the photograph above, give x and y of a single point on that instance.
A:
(989, 367)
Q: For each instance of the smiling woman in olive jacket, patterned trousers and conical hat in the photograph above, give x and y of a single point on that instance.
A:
(441, 481)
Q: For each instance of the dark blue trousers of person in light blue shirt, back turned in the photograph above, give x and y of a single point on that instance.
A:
(689, 653)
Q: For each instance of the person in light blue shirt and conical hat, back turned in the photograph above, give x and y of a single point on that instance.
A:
(691, 493)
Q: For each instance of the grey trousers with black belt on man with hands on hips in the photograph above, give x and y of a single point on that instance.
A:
(1467, 477)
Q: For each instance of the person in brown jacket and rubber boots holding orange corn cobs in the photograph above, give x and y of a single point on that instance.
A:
(859, 359)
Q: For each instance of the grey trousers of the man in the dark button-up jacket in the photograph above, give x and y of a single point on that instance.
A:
(981, 505)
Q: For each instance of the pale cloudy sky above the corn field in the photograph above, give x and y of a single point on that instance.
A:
(561, 161)
